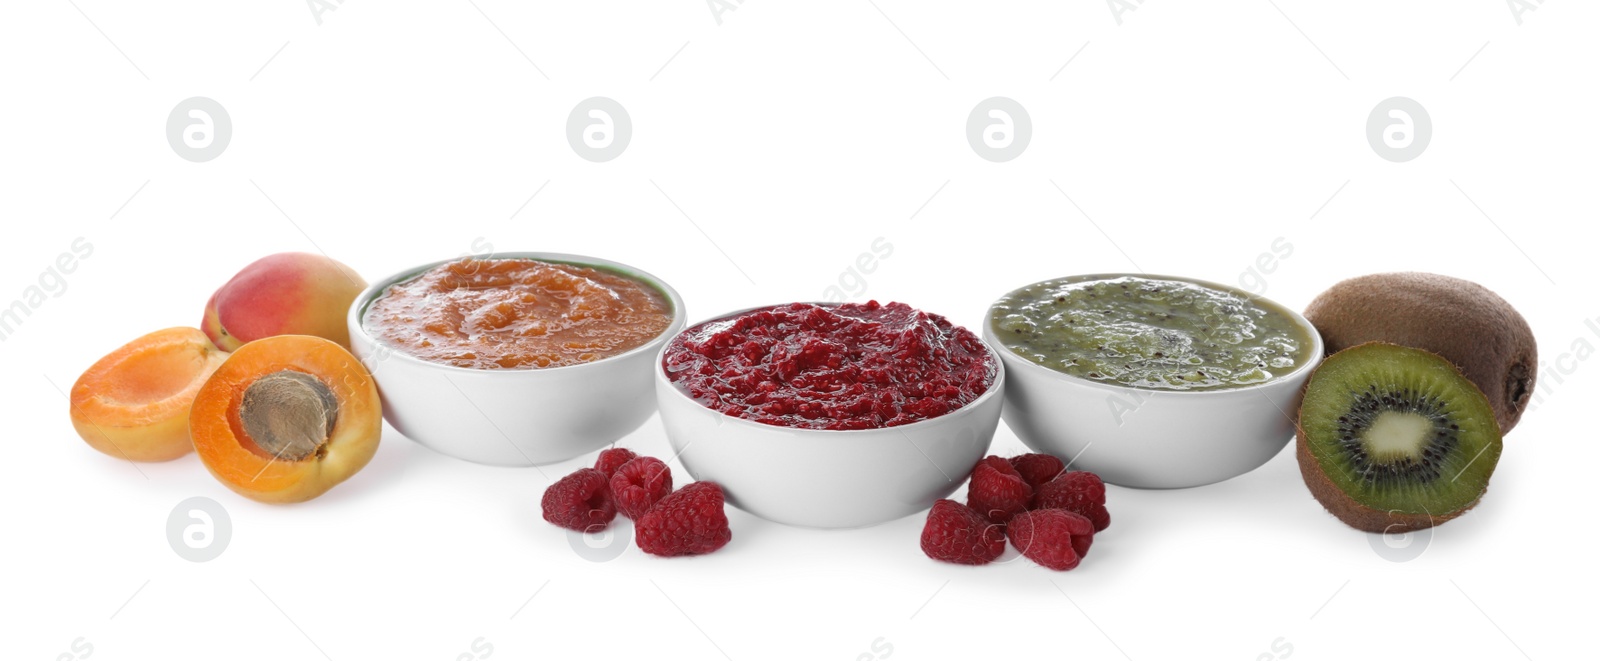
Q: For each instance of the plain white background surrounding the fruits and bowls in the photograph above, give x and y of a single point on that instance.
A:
(791, 135)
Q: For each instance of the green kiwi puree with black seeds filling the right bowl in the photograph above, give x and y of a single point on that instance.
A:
(1153, 334)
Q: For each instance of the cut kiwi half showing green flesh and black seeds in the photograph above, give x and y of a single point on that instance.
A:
(1394, 439)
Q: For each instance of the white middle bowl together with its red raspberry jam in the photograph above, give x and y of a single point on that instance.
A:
(830, 415)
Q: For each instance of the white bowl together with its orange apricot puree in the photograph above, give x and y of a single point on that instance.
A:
(519, 359)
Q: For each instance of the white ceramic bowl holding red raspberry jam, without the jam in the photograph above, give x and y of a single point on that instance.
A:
(830, 479)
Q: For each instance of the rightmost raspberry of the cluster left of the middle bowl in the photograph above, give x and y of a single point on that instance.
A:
(687, 523)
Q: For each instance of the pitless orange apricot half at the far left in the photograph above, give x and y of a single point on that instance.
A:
(134, 404)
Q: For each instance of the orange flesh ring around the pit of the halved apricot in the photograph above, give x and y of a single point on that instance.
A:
(249, 471)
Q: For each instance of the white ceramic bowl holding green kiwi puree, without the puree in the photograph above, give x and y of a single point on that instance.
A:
(1146, 438)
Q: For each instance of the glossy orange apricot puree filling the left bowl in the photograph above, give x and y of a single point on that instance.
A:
(518, 314)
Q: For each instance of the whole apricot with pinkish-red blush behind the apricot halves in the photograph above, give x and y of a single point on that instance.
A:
(286, 294)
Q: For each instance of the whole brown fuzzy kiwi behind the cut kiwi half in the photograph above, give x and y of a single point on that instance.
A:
(1457, 319)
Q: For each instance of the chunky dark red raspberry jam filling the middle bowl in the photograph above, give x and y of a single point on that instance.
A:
(831, 367)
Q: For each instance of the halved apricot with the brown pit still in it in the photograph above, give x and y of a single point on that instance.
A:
(287, 419)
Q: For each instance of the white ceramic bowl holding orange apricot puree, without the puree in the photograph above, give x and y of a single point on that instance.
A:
(514, 417)
